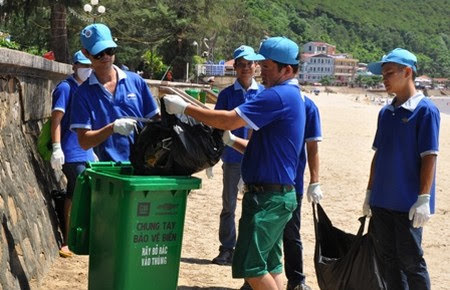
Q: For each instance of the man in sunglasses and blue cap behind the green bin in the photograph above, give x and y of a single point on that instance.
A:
(106, 106)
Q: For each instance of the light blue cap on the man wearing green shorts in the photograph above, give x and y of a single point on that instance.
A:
(280, 49)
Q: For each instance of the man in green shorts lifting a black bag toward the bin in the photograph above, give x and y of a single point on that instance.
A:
(270, 159)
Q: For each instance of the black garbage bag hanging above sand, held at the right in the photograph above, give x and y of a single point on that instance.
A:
(344, 261)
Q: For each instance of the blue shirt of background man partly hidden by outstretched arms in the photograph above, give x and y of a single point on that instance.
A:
(229, 98)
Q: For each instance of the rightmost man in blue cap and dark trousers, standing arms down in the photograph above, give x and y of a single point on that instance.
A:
(400, 194)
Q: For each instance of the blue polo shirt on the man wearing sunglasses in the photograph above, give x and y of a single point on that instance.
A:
(94, 107)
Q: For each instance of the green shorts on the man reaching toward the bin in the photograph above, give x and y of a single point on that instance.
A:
(258, 248)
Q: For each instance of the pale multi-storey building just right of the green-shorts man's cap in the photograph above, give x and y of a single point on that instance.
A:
(314, 67)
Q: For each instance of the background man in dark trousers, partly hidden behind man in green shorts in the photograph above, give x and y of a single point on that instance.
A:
(244, 88)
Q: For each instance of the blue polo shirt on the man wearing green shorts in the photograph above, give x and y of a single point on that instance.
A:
(277, 116)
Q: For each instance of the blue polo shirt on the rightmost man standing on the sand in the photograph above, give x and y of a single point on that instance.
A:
(404, 135)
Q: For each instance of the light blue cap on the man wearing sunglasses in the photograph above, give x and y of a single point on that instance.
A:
(96, 38)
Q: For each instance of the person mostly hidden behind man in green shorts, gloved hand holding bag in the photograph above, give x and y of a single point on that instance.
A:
(292, 244)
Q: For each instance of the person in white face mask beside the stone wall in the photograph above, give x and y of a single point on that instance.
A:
(67, 154)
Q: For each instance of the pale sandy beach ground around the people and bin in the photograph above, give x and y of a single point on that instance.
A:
(348, 129)
